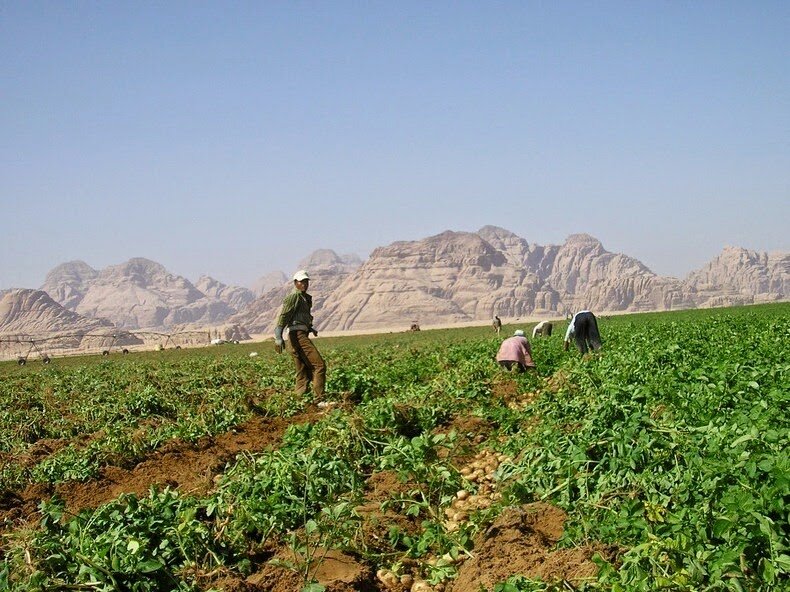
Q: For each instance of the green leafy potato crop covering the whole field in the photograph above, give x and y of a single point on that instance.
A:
(670, 446)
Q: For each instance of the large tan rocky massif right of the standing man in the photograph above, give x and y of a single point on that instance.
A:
(459, 276)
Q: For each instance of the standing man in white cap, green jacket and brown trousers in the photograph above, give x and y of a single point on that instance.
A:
(295, 314)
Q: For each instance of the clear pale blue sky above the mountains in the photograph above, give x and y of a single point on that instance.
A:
(233, 139)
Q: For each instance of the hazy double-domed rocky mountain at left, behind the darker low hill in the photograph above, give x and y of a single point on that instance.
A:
(142, 294)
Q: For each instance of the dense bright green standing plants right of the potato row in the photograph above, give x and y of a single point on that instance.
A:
(673, 442)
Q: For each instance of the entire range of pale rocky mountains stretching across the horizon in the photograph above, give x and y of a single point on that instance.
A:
(447, 278)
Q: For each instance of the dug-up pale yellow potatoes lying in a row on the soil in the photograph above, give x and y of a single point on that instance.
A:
(480, 474)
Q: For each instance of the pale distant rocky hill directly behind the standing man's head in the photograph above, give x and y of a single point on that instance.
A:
(327, 271)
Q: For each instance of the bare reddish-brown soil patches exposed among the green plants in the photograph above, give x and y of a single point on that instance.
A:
(521, 541)
